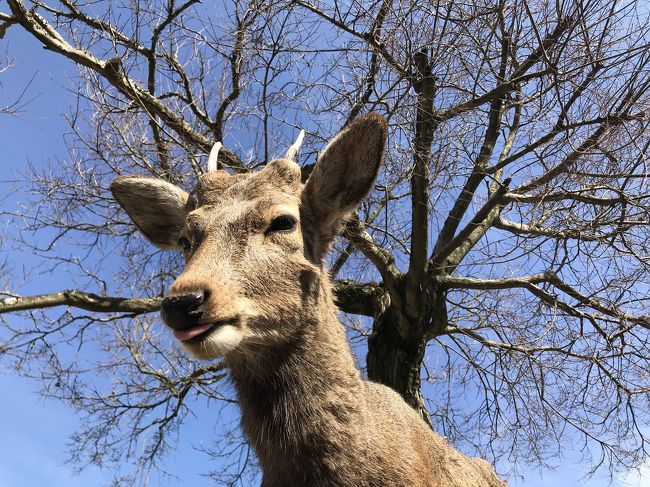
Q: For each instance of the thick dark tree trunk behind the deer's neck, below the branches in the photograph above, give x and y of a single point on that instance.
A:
(396, 362)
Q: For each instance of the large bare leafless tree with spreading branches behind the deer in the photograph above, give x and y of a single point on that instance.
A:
(501, 258)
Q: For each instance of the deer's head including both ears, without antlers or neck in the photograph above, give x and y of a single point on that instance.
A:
(254, 243)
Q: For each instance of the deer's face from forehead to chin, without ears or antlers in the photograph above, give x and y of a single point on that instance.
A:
(246, 270)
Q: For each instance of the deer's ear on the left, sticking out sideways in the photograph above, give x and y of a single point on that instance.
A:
(156, 207)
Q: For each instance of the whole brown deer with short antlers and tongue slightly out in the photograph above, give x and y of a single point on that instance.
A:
(255, 292)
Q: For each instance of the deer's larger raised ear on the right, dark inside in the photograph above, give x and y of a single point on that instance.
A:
(344, 174)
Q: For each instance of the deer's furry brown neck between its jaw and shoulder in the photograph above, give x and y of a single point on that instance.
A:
(301, 399)
